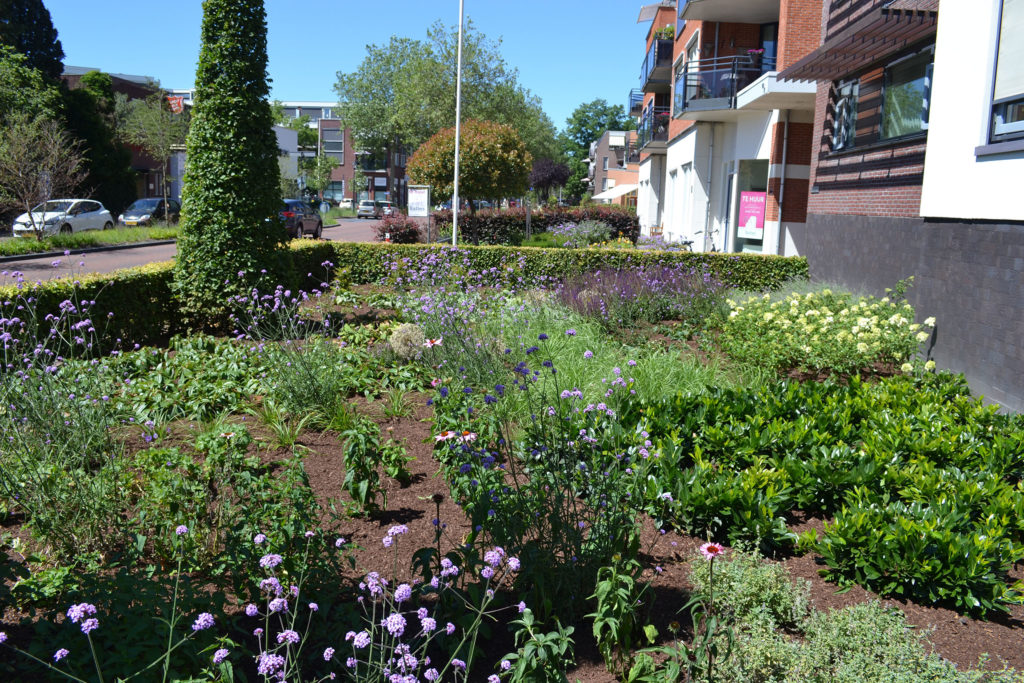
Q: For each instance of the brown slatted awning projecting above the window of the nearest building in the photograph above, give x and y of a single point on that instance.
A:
(900, 24)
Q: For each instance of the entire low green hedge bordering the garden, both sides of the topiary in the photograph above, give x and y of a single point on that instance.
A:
(146, 312)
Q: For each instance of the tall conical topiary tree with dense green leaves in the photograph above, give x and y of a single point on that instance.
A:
(231, 190)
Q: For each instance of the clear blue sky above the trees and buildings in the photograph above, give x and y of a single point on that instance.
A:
(568, 52)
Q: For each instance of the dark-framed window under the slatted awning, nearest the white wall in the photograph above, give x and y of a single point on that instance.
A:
(907, 93)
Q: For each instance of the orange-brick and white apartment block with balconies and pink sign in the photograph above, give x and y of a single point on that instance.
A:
(724, 146)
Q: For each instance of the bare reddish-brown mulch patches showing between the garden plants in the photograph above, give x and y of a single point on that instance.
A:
(955, 637)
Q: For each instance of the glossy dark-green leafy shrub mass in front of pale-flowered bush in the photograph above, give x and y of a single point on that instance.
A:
(923, 481)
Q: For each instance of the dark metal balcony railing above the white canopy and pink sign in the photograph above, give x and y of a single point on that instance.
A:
(713, 84)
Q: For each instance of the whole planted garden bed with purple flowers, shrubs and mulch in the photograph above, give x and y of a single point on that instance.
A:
(368, 415)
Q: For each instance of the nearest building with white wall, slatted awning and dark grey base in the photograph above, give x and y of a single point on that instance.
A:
(916, 170)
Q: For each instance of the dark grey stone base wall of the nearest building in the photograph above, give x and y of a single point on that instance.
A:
(969, 276)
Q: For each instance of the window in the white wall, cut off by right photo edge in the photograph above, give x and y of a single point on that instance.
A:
(1008, 94)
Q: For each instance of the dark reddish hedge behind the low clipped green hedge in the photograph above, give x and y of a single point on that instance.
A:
(509, 227)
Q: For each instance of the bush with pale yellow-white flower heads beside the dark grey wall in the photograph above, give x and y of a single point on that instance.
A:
(823, 332)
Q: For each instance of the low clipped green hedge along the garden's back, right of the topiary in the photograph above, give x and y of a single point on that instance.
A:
(366, 264)
